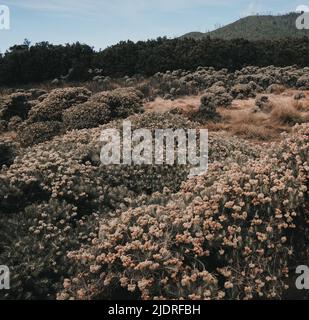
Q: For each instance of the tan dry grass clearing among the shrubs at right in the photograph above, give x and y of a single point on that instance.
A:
(282, 114)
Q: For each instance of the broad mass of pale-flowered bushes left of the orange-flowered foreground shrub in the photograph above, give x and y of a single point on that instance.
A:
(53, 194)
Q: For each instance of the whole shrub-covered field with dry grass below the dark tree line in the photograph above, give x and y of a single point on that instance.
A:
(72, 228)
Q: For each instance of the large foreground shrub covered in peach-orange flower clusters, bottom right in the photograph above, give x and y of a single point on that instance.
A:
(227, 234)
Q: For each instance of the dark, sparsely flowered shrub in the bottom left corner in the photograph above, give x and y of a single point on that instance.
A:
(39, 239)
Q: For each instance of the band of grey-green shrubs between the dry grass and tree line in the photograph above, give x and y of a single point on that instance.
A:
(242, 84)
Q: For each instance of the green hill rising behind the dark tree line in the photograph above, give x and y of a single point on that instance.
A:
(256, 28)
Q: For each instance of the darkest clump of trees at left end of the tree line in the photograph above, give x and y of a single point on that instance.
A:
(43, 61)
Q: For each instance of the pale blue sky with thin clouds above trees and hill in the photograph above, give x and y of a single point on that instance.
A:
(101, 23)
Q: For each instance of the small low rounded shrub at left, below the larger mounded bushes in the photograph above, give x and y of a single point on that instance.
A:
(34, 133)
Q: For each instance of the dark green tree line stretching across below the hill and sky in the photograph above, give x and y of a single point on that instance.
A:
(25, 64)
